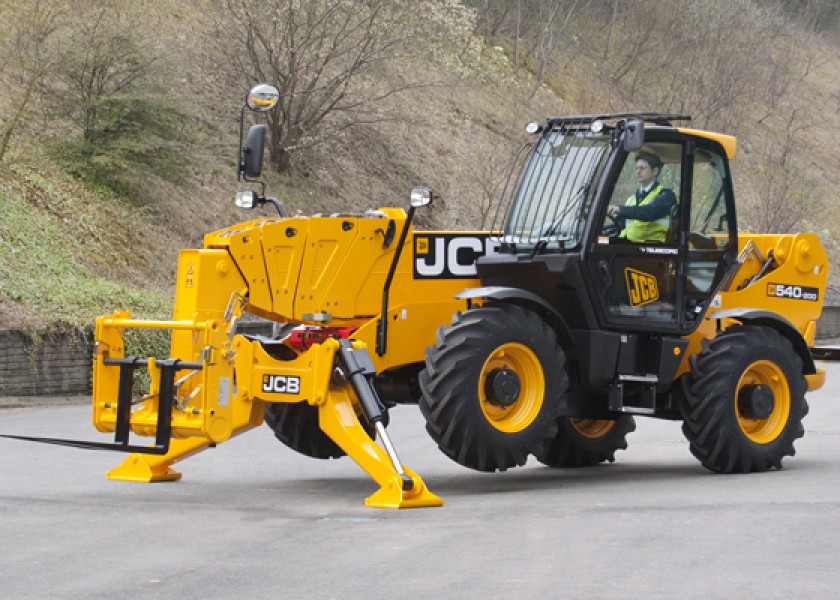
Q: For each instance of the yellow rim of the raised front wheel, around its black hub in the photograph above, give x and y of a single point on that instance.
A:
(521, 360)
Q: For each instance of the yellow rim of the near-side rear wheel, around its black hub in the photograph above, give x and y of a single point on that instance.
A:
(764, 431)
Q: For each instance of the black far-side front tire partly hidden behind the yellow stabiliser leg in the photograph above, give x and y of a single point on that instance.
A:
(296, 425)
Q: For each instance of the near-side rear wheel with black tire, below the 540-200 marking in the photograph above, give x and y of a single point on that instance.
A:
(729, 422)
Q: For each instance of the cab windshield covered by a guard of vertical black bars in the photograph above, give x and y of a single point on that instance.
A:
(554, 190)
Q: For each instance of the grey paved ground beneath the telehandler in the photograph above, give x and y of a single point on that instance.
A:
(253, 520)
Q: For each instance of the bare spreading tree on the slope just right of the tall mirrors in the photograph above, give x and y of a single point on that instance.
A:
(321, 55)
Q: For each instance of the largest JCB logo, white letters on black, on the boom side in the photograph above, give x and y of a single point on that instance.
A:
(450, 256)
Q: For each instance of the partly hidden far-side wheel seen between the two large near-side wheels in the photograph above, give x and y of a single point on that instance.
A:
(586, 442)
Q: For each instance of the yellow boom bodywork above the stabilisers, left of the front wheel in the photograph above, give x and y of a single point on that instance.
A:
(331, 271)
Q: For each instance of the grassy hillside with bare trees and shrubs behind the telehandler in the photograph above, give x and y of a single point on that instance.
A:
(119, 119)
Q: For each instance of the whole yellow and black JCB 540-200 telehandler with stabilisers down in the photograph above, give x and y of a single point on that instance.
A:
(544, 336)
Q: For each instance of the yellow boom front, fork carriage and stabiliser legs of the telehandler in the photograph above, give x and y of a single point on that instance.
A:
(290, 271)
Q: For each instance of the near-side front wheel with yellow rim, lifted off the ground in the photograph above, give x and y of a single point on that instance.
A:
(478, 425)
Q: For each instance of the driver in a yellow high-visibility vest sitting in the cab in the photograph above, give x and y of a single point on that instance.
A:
(647, 213)
